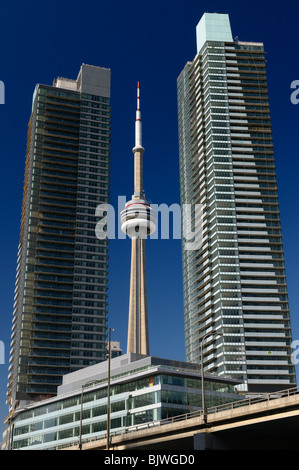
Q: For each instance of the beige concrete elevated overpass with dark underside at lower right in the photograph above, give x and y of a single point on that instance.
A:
(266, 422)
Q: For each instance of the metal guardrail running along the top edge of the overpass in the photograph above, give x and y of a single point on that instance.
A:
(264, 397)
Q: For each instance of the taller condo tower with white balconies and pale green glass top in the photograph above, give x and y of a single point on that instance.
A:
(234, 280)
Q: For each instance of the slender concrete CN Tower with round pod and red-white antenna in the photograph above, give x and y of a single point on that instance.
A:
(138, 221)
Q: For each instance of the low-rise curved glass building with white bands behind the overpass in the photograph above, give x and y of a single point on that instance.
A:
(142, 389)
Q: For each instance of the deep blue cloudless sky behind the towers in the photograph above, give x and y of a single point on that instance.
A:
(150, 42)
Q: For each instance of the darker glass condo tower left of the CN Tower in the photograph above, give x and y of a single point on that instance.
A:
(60, 308)
